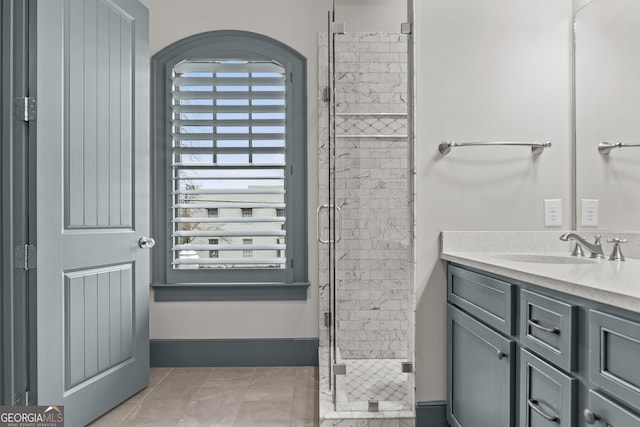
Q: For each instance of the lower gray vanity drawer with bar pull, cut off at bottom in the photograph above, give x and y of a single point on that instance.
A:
(547, 395)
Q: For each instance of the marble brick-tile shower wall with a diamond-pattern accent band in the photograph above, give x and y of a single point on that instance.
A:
(374, 293)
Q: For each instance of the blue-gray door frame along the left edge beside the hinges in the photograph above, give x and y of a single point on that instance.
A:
(16, 195)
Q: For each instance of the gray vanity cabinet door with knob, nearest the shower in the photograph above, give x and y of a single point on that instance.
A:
(480, 374)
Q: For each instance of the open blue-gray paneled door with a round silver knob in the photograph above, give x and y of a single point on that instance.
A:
(92, 204)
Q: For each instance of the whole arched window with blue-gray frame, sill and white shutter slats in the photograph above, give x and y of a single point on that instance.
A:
(228, 137)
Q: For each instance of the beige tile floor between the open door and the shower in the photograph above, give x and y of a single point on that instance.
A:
(222, 397)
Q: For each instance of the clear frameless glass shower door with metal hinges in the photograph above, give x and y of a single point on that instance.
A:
(370, 222)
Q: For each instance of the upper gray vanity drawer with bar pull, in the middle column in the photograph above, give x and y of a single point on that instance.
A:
(547, 326)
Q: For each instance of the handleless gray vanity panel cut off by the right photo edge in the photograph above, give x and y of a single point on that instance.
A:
(615, 354)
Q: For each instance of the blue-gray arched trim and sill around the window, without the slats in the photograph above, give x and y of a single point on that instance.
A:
(249, 285)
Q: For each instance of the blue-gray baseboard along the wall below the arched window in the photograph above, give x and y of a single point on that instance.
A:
(234, 352)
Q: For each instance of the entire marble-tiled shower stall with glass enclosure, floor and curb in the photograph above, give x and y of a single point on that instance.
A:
(365, 219)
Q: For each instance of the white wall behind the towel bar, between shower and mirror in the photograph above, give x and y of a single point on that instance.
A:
(486, 71)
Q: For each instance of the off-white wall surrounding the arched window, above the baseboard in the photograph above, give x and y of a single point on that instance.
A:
(296, 23)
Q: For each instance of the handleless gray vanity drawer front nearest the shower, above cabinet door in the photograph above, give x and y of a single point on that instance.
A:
(486, 298)
